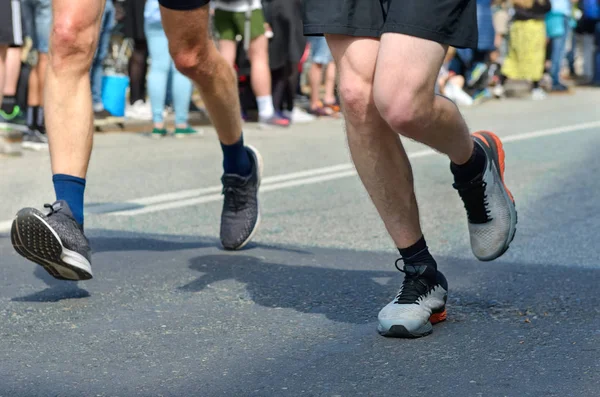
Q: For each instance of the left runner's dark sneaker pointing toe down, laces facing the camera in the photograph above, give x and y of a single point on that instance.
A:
(241, 213)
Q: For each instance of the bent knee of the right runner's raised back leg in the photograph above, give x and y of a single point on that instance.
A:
(407, 111)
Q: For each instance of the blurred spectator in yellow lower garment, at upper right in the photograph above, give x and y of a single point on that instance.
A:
(527, 45)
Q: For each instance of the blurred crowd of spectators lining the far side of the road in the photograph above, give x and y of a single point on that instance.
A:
(285, 77)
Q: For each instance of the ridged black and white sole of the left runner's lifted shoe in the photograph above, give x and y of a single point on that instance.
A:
(34, 239)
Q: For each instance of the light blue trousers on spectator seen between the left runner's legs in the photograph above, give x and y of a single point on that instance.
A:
(163, 72)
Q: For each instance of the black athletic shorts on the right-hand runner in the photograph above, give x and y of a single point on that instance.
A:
(450, 22)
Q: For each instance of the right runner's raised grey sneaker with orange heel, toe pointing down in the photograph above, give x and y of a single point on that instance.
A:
(490, 206)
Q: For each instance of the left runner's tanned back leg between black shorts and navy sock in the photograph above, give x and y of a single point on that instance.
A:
(196, 56)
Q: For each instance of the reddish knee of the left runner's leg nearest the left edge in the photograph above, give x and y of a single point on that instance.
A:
(72, 44)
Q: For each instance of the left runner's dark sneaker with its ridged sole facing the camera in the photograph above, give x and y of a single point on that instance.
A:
(54, 241)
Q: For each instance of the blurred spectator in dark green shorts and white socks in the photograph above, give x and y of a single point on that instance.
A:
(234, 19)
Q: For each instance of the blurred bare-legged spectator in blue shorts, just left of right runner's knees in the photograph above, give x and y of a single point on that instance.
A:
(321, 62)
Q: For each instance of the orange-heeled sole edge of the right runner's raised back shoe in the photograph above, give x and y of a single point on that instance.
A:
(493, 145)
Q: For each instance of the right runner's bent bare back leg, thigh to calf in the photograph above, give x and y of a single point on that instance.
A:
(407, 69)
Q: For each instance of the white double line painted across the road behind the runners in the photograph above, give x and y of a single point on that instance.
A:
(191, 197)
